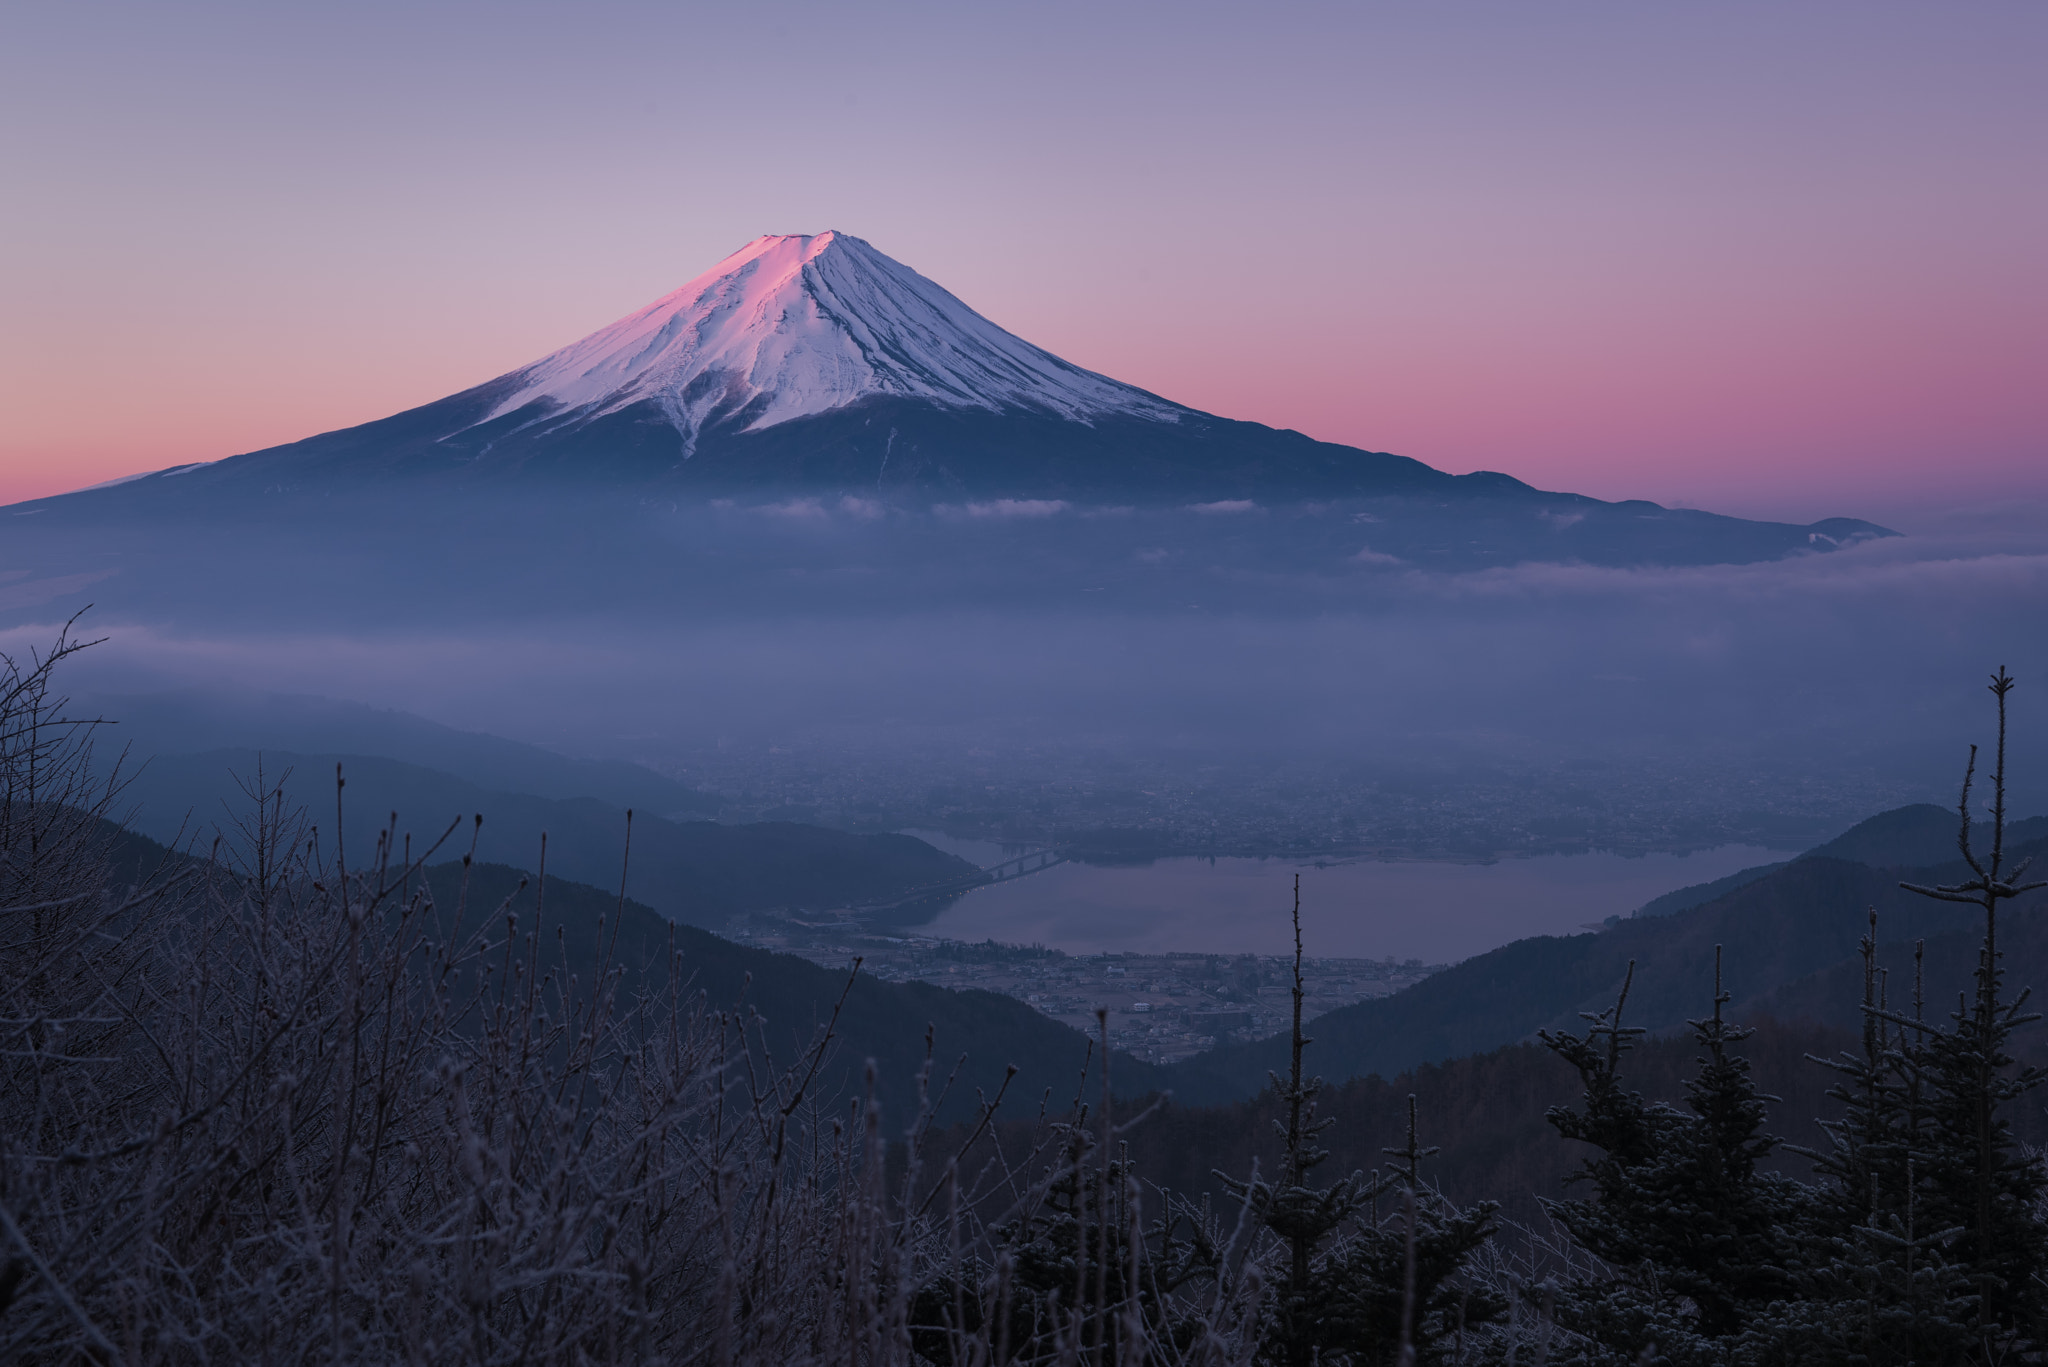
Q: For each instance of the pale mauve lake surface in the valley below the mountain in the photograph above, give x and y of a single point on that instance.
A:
(1437, 913)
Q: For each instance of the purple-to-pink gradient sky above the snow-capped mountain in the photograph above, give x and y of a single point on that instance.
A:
(1775, 259)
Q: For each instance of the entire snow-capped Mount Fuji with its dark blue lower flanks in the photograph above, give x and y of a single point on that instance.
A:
(818, 372)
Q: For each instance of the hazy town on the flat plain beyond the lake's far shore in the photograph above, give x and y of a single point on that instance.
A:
(1158, 804)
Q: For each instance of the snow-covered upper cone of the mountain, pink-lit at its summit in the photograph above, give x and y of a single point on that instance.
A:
(800, 325)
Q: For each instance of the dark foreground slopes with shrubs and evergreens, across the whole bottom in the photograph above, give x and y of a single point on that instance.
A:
(263, 1100)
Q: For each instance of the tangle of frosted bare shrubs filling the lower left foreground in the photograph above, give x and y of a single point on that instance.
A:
(269, 1106)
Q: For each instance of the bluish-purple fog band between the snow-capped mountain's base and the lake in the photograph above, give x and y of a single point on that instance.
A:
(1578, 706)
